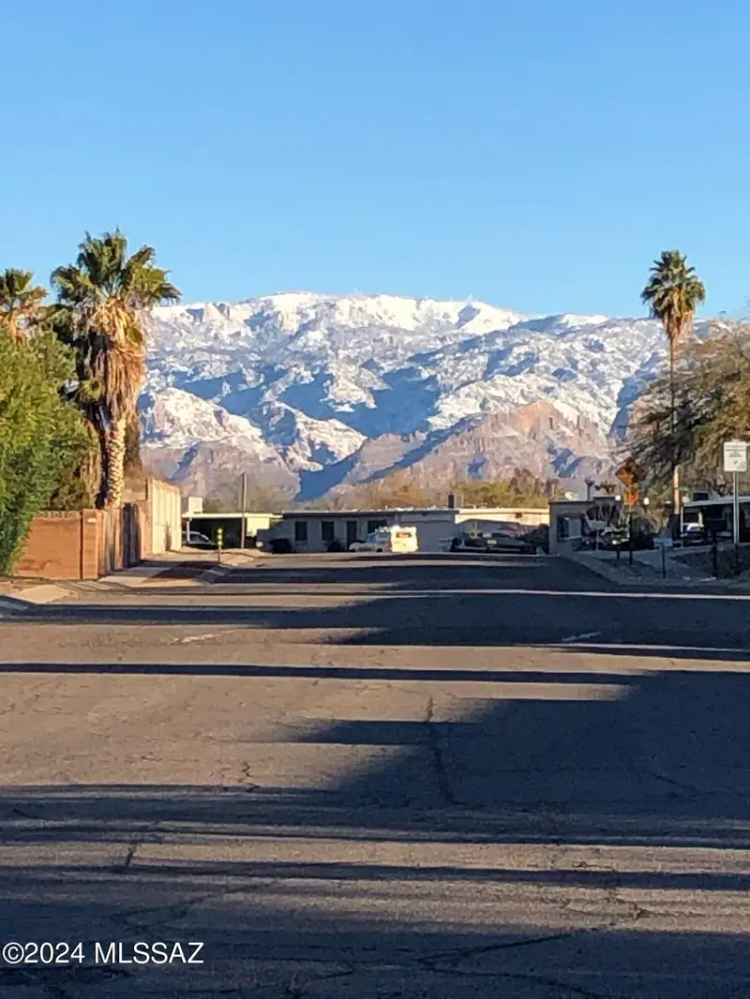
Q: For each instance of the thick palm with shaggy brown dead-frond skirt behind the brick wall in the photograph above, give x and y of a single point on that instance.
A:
(101, 303)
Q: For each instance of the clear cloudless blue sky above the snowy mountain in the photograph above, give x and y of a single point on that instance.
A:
(538, 156)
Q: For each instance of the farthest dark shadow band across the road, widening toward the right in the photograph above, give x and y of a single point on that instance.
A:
(671, 625)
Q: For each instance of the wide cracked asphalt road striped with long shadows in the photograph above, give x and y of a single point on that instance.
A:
(380, 777)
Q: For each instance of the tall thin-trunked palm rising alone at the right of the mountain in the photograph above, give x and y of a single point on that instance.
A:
(672, 294)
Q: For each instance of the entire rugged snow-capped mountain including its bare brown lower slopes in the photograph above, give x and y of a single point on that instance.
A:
(309, 392)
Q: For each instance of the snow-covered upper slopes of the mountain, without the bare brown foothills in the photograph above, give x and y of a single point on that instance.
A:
(315, 376)
